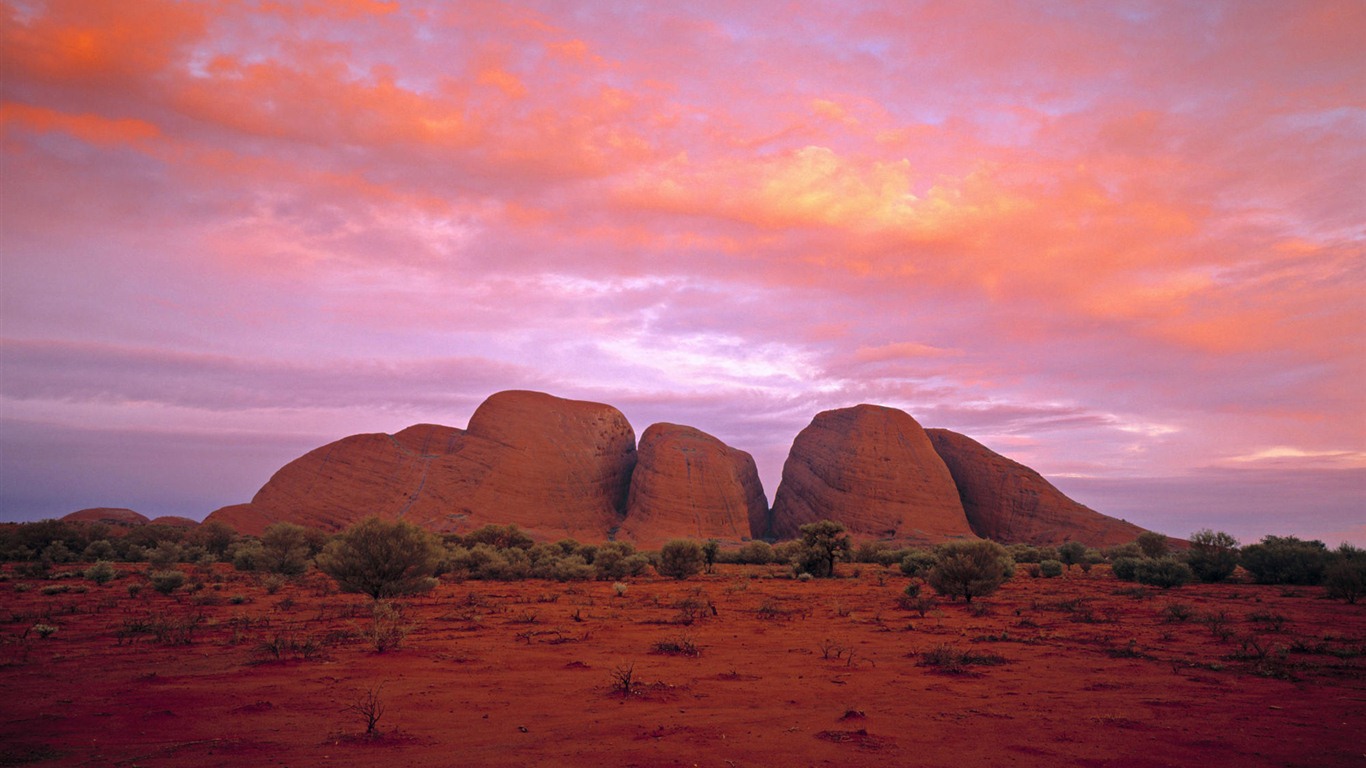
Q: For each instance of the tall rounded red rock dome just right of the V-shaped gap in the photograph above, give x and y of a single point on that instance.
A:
(872, 469)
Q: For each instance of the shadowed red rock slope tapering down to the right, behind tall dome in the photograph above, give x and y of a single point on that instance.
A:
(1009, 502)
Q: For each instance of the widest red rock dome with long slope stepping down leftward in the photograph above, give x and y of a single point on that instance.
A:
(553, 467)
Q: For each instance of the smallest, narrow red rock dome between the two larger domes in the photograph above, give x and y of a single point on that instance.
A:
(688, 484)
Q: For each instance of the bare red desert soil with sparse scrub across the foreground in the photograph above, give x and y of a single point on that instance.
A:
(790, 673)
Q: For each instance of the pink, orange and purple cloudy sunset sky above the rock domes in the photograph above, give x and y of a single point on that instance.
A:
(1118, 243)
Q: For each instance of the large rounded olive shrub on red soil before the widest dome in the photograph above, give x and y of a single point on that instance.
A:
(383, 560)
